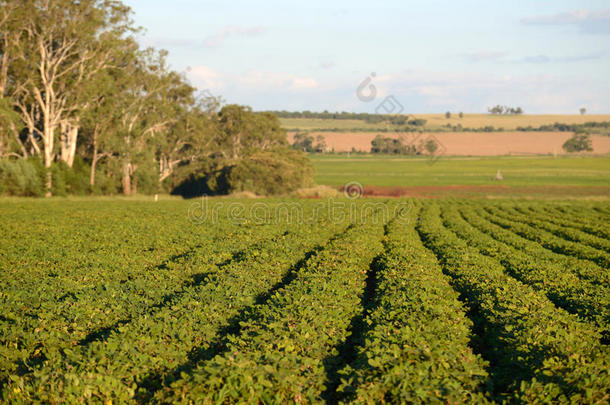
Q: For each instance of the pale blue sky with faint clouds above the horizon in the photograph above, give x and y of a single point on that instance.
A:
(396, 56)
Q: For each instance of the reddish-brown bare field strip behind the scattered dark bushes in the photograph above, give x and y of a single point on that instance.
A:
(468, 143)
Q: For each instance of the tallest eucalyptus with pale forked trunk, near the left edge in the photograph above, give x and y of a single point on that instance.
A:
(64, 45)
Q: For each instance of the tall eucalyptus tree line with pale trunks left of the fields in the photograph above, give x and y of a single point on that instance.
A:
(79, 95)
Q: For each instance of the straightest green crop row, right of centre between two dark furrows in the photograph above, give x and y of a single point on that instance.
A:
(416, 347)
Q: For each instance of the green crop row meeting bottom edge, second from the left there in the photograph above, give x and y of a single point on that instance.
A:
(282, 353)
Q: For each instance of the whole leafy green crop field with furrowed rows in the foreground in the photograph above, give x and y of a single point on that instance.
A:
(304, 301)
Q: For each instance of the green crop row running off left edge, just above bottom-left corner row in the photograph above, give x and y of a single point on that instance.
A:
(62, 319)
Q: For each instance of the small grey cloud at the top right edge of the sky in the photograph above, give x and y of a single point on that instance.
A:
(589, 21)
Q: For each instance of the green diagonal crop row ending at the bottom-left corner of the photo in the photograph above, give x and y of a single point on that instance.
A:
(138, 356)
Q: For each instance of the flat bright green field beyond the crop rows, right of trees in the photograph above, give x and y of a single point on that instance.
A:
(522, 175)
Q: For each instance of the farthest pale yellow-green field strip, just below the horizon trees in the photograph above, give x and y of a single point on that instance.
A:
(437, 121)
